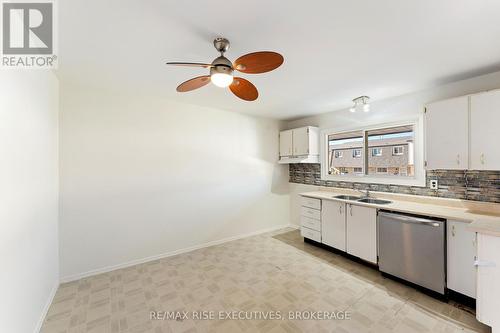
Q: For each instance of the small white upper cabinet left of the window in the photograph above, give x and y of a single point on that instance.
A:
(299, 145)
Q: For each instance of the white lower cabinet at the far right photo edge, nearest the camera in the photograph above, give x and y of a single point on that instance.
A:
(488, 277)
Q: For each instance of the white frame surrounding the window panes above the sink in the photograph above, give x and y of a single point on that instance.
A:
(418, 179)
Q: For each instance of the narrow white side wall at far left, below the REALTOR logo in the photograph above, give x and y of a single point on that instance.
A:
(28, 197)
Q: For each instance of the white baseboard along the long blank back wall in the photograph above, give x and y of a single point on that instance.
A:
(169, 254)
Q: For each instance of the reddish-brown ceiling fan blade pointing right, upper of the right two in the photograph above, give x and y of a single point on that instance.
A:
(258, 62)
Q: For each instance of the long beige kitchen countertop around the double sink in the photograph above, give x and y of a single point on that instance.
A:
(483, 217)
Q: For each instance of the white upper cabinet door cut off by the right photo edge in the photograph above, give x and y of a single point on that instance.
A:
(485, 117)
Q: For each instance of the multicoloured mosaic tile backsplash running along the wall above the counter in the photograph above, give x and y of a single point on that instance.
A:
(457, 184)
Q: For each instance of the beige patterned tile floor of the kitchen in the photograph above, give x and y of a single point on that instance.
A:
(270, 272)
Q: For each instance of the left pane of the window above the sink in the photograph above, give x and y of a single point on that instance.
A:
(338, 163)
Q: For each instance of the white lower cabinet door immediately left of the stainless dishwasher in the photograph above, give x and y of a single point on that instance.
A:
(362, 232)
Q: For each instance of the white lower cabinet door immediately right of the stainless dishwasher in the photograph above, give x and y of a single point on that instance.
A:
(461, 253)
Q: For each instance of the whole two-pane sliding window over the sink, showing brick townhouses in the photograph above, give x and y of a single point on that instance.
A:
(384, 155)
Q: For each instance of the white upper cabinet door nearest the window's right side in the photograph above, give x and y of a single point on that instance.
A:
(447, 134)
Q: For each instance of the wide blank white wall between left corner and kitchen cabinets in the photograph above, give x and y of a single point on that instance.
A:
(141, 177)
